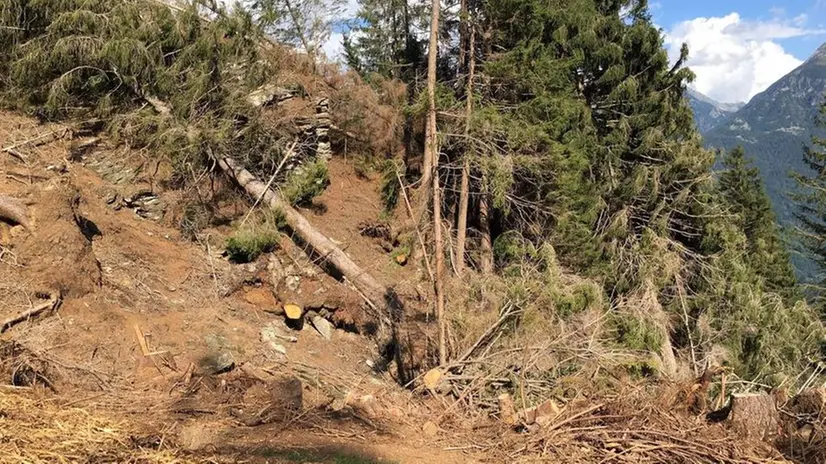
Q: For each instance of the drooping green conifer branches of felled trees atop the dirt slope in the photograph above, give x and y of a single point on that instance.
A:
(116, 59)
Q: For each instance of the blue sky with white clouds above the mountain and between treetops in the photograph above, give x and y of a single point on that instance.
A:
(738, 48)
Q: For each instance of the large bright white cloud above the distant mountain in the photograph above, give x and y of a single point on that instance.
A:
(735, 59)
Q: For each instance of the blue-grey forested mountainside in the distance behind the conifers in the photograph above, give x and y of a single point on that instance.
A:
(773, 128)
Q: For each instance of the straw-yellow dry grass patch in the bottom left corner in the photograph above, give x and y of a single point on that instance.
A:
(39, 431)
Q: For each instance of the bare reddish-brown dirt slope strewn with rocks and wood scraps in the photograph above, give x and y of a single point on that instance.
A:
(127, 275)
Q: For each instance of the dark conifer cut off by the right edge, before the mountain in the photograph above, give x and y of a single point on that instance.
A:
(811, 204)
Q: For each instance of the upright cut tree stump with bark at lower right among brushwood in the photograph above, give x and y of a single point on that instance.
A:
(754, 416)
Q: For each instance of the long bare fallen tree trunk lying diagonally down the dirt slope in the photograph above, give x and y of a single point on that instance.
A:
(379, 296)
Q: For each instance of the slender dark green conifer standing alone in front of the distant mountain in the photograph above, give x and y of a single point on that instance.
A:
(742, 188)
